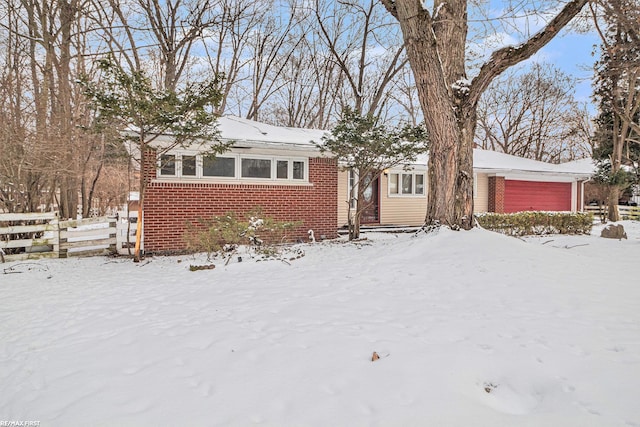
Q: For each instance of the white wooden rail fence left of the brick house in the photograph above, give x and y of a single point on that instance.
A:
(43, 235)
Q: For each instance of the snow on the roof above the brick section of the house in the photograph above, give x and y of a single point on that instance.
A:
(239, 129)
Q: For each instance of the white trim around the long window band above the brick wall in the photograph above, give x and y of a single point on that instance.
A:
(237, 170)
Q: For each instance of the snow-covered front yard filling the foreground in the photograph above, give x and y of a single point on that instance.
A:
(472, 328)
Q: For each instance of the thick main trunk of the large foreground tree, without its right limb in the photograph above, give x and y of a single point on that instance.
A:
(444, 119)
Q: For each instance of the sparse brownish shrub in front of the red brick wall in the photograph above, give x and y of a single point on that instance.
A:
(225, 233)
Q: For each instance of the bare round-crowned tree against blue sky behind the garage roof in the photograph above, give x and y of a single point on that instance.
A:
(532, 113)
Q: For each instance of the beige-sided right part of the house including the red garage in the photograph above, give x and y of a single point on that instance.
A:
(502, 183)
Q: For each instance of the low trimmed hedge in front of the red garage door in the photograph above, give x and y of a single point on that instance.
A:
(537, 223)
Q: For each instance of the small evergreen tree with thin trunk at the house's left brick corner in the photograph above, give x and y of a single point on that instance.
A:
(142, 113)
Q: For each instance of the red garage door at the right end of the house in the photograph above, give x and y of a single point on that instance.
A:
(536, 196)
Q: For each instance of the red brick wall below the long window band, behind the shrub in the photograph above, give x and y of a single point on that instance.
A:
(170, 206)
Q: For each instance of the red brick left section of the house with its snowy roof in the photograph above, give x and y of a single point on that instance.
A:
(277, 169)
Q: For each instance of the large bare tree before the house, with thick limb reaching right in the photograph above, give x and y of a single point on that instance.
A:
(436, 43)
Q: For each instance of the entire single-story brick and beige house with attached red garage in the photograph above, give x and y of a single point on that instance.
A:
(282, 171)
